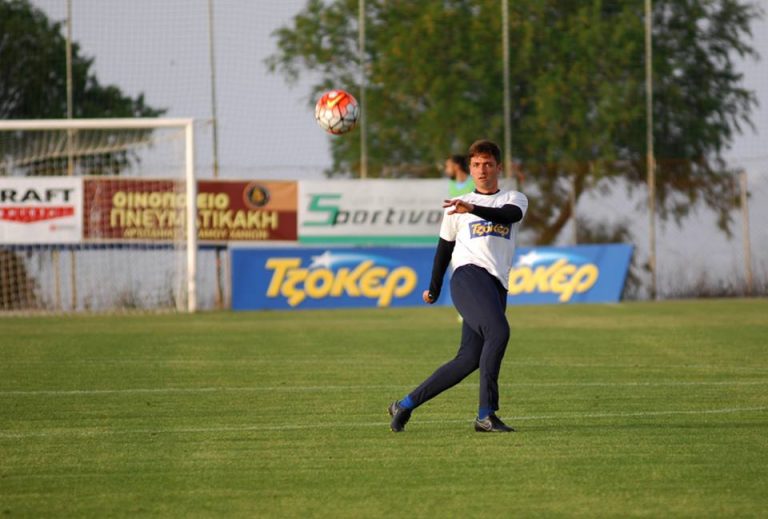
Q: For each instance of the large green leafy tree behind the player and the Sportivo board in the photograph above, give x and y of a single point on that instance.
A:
(434, 75)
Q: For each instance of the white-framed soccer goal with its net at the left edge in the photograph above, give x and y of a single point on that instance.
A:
(94, 213)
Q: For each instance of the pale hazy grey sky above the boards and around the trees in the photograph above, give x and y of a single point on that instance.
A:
(161, 49)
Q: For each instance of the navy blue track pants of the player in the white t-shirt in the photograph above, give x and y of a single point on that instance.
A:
(481, 300)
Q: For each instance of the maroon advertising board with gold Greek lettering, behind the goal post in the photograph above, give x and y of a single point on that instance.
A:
(124, 209)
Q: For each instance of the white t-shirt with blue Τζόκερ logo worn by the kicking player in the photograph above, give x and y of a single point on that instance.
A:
(479, 242)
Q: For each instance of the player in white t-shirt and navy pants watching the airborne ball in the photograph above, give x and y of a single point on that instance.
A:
(478, 235)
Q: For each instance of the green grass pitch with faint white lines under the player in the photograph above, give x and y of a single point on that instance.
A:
(631, 410)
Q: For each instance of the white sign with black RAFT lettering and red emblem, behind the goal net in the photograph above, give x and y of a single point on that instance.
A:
(41, 210)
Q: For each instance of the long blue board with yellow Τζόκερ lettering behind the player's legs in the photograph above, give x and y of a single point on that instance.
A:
(269, 278)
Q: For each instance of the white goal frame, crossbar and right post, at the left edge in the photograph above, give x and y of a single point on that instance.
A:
(187, 124)
